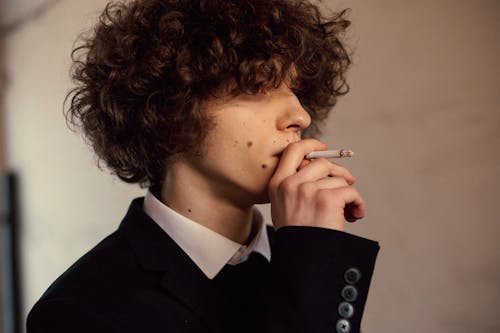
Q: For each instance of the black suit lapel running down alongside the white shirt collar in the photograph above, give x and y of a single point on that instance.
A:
(181, 277)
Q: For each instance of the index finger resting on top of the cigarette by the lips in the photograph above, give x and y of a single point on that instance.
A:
(292, 157)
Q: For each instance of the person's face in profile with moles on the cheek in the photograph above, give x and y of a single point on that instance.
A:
(243, 149)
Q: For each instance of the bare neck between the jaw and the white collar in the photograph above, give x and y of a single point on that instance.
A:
(195, 197)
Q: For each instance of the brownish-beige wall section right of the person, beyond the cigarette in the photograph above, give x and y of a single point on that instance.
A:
(424, 116)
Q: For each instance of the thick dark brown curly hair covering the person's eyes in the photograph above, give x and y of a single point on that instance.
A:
(144, 71)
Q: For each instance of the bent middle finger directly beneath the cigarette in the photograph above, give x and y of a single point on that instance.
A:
(321, 168)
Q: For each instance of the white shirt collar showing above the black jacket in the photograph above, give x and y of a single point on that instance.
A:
(209, 250)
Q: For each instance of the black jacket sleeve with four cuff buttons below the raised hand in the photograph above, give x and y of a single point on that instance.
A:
(319, 281)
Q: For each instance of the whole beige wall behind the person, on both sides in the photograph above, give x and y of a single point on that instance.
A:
(423, 116)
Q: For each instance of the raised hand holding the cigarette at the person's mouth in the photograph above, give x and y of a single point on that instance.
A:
(312, 193)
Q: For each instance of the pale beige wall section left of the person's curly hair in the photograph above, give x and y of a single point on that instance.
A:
(68, 204)
